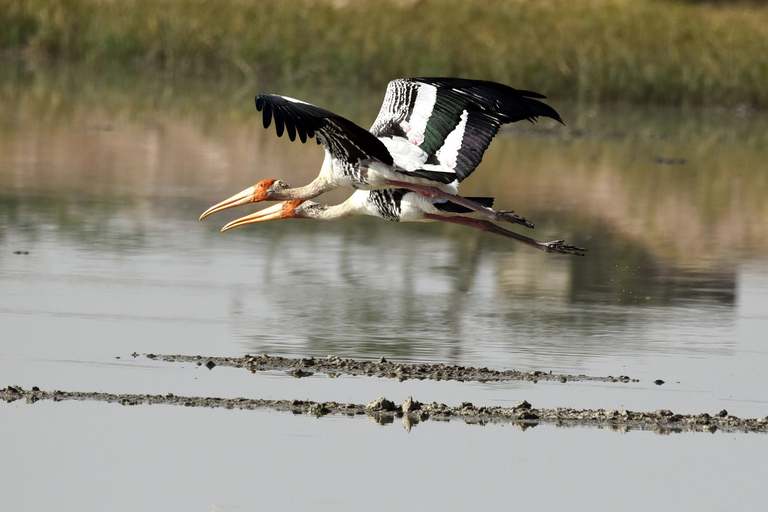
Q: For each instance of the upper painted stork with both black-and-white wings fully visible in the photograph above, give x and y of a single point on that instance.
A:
(430, 134)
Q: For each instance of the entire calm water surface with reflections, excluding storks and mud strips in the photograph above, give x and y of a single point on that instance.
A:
(102, 186)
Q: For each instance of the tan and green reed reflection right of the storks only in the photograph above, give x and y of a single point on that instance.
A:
(686, 197)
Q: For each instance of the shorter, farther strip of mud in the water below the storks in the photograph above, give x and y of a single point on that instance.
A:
(334, 365)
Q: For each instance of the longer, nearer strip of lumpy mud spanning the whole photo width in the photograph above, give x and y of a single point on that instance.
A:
(412, 412)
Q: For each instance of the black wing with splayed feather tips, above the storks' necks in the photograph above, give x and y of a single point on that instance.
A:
(341, 137)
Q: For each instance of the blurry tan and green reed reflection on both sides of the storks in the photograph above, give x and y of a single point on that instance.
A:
(686, 185)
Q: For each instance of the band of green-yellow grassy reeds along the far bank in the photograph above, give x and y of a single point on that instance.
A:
(644, 50)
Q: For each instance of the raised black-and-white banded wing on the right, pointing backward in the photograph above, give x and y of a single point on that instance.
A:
(454, 119)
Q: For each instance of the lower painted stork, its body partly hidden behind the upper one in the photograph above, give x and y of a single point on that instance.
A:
(398, 205)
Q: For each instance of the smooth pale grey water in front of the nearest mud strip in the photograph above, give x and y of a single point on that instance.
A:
(103, 456)
